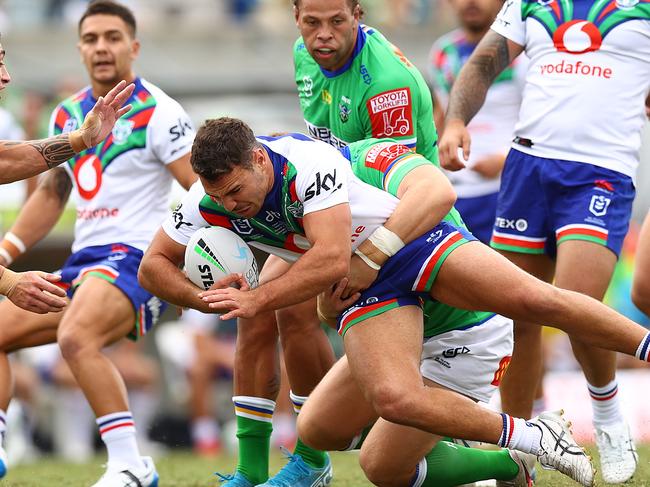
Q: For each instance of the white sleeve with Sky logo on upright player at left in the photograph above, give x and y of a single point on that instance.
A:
(171, 130)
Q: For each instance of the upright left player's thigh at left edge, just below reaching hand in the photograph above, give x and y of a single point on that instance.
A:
(21, 328)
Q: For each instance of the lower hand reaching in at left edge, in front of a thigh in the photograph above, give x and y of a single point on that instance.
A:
(35, 291)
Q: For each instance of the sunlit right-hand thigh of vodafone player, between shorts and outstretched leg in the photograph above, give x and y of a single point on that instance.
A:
(585, 267)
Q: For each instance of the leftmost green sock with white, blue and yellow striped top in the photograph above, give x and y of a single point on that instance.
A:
(254, 437)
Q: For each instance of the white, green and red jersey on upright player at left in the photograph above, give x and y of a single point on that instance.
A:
(122, 186)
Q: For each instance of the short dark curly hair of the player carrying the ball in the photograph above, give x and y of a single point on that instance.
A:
(220, 145)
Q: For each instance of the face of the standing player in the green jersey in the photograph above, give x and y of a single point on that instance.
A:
(329, 29)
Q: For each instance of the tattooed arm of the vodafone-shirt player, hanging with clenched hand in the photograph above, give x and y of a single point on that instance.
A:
(491, 56)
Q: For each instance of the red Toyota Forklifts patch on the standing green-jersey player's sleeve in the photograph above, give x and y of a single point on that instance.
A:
(391, 113)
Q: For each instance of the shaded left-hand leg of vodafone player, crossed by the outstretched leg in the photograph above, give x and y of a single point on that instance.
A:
(525, 370)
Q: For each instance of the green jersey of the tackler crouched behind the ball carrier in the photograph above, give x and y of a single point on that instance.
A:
(384, 163)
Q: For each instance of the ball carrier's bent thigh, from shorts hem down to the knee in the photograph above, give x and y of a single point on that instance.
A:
(384, 354)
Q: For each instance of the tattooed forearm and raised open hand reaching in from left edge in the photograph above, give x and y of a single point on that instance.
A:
(21, 160)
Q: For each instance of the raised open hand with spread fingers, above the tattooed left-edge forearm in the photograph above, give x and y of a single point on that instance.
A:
(100, 120)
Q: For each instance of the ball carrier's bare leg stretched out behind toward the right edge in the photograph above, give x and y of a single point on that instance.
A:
(476, 277)
